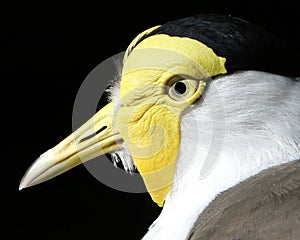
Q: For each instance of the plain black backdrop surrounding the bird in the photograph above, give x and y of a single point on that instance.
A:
(56, 46)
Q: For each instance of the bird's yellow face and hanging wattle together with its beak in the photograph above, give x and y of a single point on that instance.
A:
(162, 76)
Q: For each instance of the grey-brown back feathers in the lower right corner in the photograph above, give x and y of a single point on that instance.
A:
(265, 206)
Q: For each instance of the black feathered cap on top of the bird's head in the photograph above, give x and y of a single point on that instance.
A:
(246, 46)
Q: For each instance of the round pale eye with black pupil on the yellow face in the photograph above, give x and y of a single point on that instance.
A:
(181, 89)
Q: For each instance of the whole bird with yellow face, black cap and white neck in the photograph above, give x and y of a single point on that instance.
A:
(206, 109)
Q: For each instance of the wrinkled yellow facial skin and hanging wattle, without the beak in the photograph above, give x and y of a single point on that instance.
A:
(149, 118)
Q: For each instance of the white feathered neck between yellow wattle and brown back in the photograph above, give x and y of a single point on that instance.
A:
(247, 122)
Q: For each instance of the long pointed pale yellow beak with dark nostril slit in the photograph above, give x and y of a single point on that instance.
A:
(94, 138)
